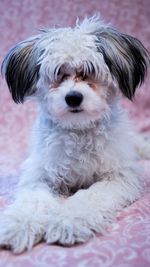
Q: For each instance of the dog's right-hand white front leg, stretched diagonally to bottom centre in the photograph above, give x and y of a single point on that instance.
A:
(90, 211)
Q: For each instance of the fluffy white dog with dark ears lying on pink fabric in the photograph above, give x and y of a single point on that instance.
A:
(82, 166)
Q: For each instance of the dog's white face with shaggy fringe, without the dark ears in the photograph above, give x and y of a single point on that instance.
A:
(75, 79)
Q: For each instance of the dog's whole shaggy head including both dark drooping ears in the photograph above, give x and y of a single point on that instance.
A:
(76, 73)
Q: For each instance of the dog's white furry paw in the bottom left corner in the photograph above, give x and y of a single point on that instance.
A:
(19, 233)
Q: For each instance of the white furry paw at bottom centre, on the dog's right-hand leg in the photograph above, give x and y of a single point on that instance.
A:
(67, 231)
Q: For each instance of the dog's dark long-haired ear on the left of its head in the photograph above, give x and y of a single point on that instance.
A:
(20, 68)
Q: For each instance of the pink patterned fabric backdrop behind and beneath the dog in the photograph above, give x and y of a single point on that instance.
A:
(127, 242)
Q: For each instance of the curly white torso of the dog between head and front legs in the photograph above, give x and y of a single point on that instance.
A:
(70, 159)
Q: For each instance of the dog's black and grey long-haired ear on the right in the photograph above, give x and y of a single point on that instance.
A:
(126, 58)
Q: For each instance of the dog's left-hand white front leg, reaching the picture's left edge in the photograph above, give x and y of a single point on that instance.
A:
(24, 222)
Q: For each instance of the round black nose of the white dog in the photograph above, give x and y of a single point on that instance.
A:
(74, 99)
